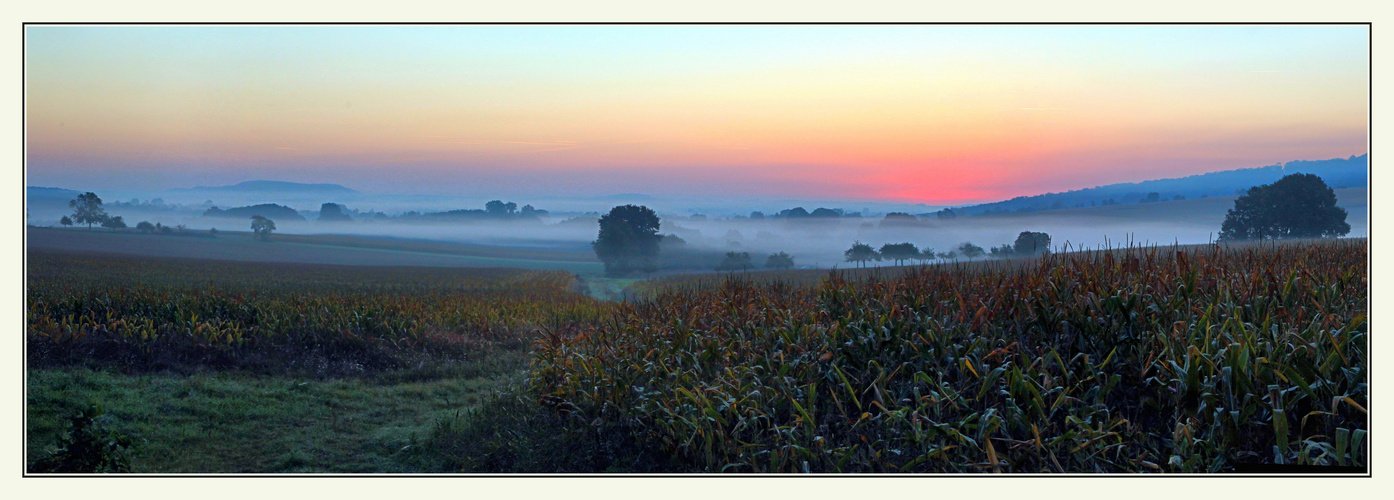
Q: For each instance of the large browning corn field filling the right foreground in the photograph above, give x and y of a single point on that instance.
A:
(1138, 360)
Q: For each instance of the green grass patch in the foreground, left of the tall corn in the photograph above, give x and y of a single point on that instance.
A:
(236, 423)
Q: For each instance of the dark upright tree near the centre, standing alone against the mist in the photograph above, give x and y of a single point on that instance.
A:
(628, 240)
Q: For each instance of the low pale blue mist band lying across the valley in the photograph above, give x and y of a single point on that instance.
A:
(813, 242)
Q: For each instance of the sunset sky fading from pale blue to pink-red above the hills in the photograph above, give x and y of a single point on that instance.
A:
(935, 115)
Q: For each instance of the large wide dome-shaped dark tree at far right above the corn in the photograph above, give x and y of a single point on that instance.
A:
(1296, 207)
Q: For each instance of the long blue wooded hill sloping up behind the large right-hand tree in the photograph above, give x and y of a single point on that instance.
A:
(1339, 173)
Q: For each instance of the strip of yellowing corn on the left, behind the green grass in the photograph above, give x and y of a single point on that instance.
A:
(214, 304)
